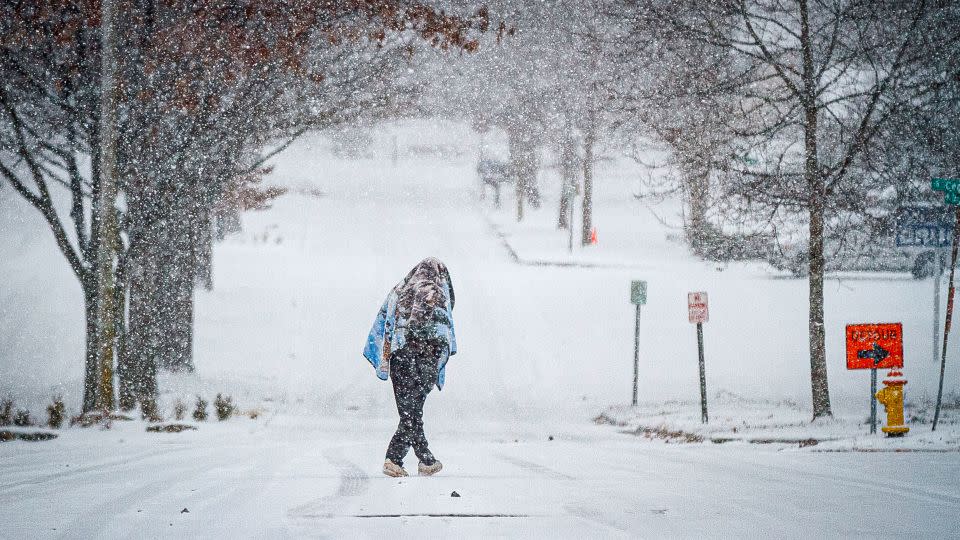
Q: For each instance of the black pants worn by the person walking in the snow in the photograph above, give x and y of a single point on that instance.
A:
(413, 370)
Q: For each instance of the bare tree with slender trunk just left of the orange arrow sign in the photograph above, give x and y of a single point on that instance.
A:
(813, 83)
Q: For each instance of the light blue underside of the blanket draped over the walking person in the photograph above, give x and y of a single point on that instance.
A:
(390, 328)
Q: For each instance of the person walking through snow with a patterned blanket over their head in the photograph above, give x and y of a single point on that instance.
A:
(410, 342)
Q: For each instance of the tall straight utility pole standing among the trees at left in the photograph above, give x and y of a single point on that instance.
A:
(106, 206)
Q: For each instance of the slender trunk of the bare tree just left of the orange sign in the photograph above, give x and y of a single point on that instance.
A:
(817, 194)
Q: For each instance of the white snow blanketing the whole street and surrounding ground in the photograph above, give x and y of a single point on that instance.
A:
(544, 349)
